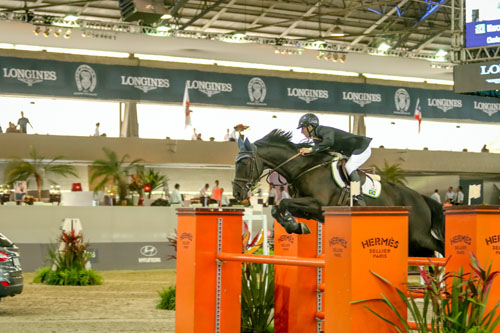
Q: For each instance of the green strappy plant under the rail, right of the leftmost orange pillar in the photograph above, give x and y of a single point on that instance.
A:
(257, 297)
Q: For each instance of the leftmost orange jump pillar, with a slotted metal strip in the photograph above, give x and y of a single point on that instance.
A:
(203, 302)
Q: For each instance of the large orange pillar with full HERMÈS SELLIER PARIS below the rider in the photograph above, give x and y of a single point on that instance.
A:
(358, 240)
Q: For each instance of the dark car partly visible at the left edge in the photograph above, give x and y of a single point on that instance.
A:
(11, 273)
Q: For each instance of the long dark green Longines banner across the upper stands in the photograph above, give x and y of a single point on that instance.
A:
(97, 81)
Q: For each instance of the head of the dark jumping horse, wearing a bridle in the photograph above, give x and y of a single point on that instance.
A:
(248, 169)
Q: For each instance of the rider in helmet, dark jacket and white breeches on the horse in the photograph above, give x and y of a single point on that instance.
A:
(355, 147)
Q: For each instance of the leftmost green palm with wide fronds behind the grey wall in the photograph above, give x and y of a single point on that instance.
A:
(37, 168)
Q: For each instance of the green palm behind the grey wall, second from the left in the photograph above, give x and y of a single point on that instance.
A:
(112, 169)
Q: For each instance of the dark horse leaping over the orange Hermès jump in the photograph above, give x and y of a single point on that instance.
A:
(313, 187)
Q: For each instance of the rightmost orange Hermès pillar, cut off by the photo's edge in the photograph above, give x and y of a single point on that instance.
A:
(474, 229)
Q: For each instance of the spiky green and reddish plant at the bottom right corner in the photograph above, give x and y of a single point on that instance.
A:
(452, 303)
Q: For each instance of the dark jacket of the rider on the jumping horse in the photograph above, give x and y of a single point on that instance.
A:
(339, 141)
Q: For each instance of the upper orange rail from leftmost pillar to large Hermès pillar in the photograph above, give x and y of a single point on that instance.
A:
(275, 260)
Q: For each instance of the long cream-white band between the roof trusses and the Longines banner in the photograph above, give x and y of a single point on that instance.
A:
(22, 33)
